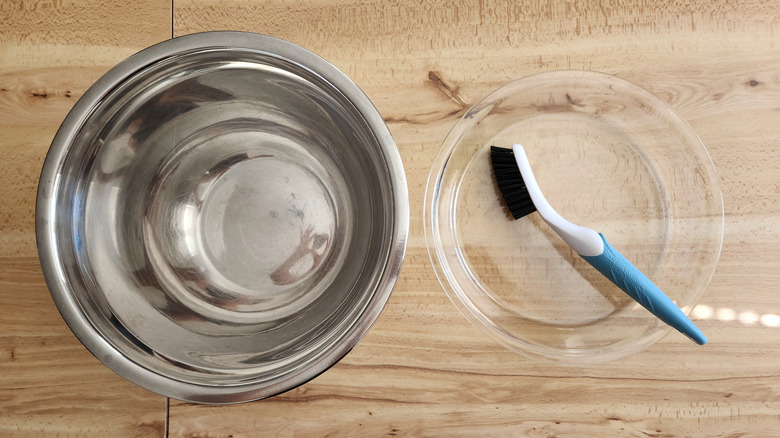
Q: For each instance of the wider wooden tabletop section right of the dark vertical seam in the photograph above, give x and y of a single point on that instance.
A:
(423, 370)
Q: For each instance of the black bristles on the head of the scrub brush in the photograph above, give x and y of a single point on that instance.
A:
(510, 182)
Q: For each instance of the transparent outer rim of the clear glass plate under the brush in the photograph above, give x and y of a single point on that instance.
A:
(441, 266)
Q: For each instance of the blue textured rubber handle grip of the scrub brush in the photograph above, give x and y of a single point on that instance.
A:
(633, 282)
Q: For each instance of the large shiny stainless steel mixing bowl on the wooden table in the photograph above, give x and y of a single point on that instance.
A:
(221, 217)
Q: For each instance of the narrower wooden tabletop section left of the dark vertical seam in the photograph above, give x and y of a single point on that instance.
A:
(50, 53)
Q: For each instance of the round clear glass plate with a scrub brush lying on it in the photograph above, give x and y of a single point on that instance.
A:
(607, 155)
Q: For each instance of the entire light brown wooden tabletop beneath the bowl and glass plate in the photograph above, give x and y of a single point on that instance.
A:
(423, 370)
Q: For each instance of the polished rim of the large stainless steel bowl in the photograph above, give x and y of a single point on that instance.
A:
(46, 216)
